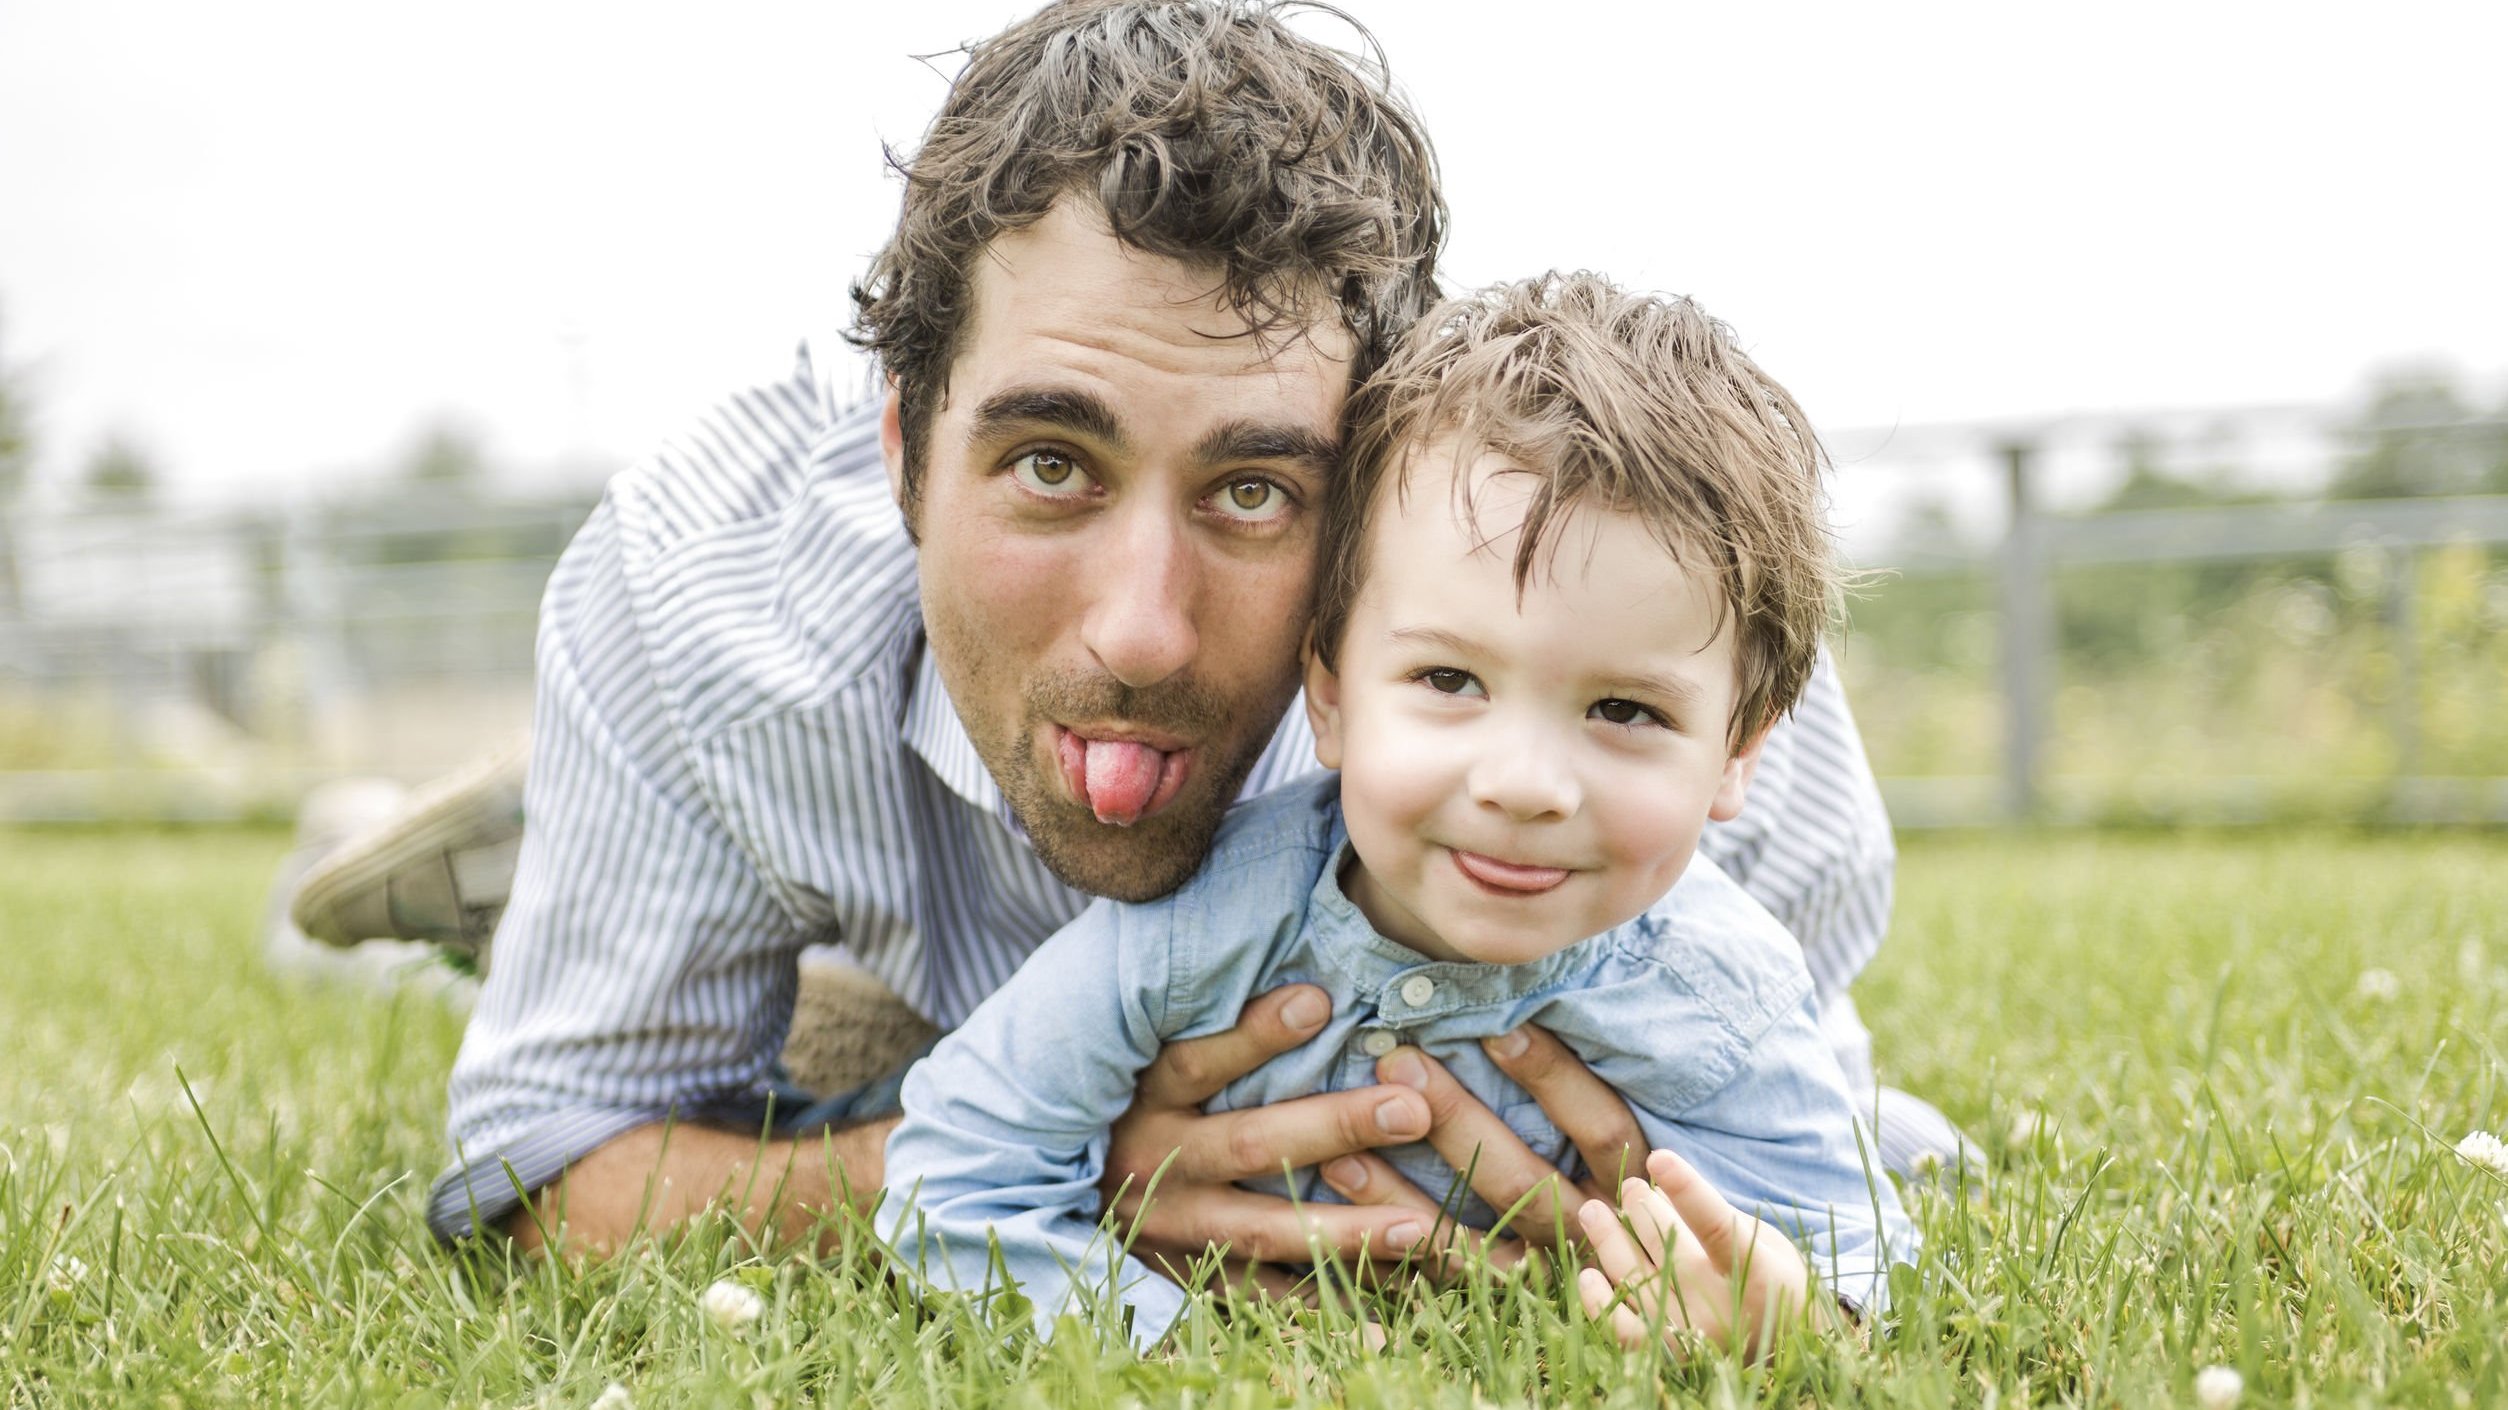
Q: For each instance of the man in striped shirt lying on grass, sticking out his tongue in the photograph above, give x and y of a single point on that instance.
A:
(927, 676)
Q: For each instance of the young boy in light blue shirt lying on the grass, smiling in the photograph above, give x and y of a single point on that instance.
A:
(1571, 573)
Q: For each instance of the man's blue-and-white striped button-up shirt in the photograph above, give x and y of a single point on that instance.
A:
(744, 749)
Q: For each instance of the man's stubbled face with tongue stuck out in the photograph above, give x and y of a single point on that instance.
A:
(1117, 541)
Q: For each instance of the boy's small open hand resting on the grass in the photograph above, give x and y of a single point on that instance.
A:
(1689, 1266)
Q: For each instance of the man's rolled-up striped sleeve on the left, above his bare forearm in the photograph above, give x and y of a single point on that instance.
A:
(643, 967)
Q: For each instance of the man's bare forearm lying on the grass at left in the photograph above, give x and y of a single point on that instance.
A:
(658, 1178)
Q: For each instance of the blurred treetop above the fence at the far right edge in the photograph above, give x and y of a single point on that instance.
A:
(2421, 435)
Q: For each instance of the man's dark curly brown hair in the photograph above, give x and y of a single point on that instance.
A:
(1208, 132)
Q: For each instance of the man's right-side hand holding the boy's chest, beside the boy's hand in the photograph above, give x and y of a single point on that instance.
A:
(1506, 1173)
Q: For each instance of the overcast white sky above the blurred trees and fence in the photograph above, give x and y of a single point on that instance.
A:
(272, 237)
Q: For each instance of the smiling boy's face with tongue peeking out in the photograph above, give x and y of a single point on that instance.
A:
(1521, 774)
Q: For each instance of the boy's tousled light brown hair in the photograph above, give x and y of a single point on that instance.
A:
(1616, 403)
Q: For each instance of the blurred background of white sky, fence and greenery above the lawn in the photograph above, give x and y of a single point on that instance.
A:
(2163, 355)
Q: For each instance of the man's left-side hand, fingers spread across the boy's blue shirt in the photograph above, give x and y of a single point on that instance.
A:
(1198, 1158)
